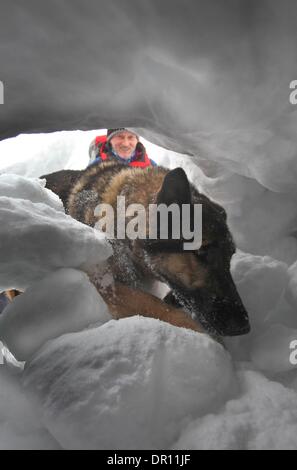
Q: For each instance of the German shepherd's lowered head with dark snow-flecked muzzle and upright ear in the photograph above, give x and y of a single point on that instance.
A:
(200, 278)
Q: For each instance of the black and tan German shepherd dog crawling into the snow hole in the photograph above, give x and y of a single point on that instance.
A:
(203, 296)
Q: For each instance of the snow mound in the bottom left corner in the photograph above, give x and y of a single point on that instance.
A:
(19, 424)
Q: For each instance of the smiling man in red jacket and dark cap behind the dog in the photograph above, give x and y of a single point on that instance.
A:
(120, 144)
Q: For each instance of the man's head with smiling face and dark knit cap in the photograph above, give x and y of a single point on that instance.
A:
(123, 141)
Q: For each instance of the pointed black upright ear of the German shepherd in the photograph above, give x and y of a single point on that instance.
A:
(175, 188)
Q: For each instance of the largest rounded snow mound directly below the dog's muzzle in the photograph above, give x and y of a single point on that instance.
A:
(129, 384)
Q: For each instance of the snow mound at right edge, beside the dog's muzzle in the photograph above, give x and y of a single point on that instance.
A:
(263, 285)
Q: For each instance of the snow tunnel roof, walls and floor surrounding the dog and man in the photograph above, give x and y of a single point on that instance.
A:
(210, 86)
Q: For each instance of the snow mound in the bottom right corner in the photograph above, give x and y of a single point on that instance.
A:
(264, 417)
